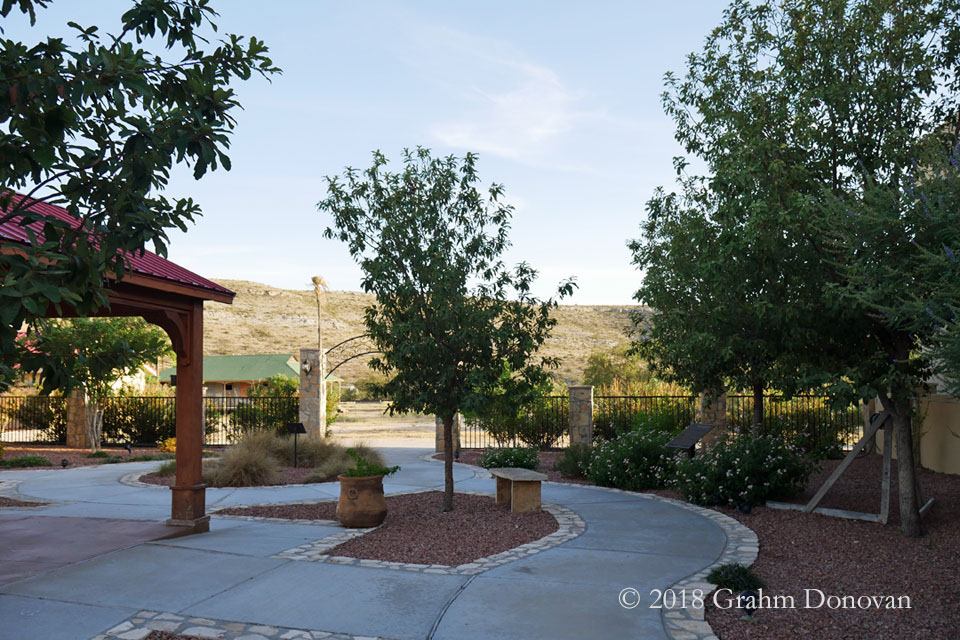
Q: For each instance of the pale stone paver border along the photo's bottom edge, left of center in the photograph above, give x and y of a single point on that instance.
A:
(141, 624)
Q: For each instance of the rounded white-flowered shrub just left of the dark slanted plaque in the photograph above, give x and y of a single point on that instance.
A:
(634, 461)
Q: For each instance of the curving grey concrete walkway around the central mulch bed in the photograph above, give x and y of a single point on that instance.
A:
(229, 584)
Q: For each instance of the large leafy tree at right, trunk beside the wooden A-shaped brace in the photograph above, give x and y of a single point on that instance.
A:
(859, 90)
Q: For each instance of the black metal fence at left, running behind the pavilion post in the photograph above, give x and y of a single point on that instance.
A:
(144, 420)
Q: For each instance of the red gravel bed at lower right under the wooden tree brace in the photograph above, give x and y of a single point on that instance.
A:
(854, 558)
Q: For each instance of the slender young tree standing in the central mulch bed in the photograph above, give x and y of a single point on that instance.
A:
(449, 317)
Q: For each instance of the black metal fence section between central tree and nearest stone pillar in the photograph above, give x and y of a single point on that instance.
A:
(544, 424)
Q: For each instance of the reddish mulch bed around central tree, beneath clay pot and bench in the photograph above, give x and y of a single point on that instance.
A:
(417, 531)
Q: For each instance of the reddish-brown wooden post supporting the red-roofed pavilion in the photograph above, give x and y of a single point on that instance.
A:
(189, 492)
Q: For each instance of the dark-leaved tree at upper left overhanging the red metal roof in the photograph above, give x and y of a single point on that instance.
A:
(96, 127)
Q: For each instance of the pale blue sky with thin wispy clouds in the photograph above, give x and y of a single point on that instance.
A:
(560, 100)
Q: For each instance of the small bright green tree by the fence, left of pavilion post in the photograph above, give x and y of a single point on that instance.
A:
(95, 353)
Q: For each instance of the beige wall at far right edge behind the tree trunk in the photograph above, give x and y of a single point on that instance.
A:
(940, 442)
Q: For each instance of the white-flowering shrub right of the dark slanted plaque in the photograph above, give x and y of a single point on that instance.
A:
(744, 469)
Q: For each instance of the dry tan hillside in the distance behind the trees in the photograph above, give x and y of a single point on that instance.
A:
(265, 319)
